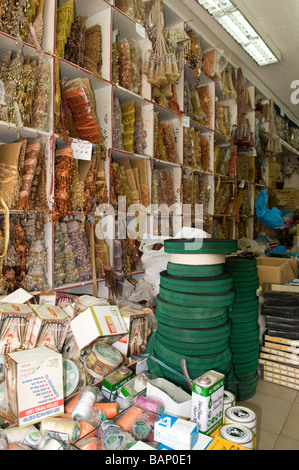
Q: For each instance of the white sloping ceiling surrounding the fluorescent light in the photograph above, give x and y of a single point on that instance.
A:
(279, 19)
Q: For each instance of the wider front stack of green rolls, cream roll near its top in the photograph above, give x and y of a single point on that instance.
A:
(192, 310)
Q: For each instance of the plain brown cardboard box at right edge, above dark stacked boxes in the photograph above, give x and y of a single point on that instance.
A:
(276, 270)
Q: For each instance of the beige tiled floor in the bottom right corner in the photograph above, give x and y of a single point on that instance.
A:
(277, 410)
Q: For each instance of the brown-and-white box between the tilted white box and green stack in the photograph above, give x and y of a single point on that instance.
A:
(135, 341)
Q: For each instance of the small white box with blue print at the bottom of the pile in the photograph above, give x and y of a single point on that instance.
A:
(177, 433)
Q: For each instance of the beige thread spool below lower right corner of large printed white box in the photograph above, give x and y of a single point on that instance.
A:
(63, 429)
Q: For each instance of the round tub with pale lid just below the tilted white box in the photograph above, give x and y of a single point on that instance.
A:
(103, 359)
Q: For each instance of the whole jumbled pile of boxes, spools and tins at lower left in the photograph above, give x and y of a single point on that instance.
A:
(39, 344)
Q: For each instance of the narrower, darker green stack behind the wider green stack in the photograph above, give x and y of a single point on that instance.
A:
(244, 340)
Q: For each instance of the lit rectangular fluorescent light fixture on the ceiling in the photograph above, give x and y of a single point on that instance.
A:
(234, 22)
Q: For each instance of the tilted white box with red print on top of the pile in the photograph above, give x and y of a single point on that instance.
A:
(98, 322)
